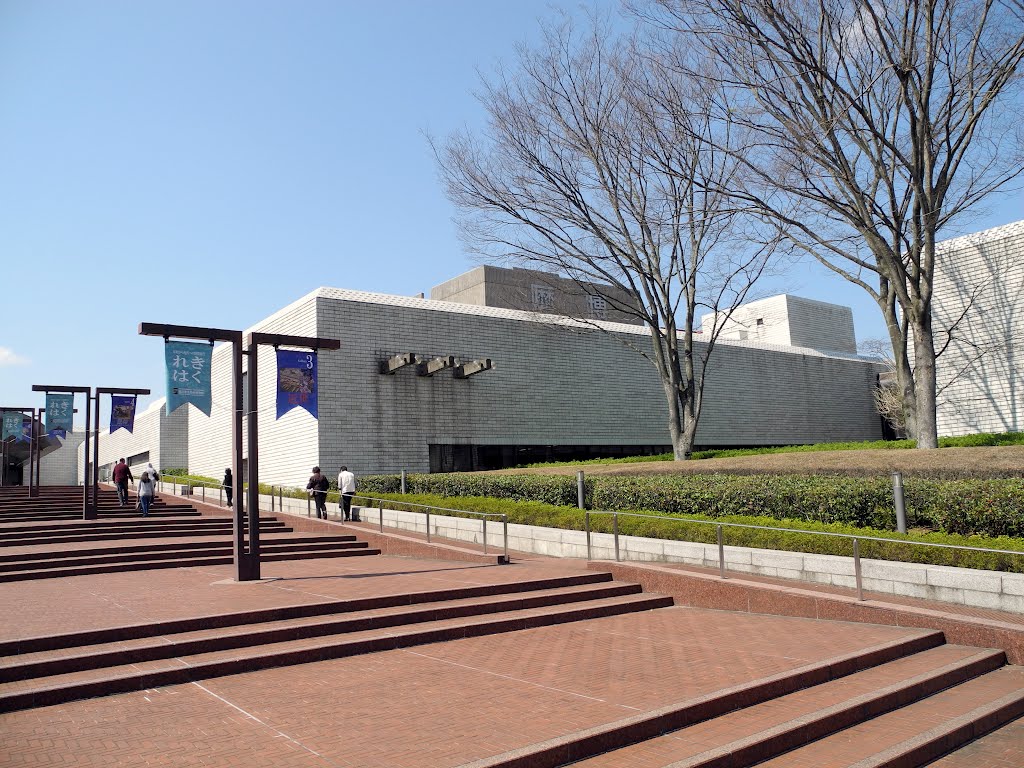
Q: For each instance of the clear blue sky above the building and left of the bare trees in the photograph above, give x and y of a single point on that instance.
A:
(207, 163)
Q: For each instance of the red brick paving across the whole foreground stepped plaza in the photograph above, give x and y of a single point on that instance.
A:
(510, 698)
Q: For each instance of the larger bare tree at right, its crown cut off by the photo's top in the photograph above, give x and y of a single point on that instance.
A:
(879, 125)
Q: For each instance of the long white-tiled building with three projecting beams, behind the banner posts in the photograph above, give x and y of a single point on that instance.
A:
(491, 387)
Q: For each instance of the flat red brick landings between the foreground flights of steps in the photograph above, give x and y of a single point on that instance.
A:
(426, 707)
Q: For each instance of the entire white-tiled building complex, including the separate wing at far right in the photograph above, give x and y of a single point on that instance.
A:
(549, 388)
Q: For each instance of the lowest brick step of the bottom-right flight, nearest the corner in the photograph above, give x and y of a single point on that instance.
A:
(922, 732)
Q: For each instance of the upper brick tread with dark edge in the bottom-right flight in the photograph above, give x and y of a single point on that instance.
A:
(763, 732)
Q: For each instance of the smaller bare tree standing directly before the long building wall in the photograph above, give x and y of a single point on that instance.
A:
(599, 166)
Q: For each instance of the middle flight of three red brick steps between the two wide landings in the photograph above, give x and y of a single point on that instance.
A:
(46, 671)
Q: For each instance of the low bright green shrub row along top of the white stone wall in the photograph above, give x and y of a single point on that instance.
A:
(897, 547)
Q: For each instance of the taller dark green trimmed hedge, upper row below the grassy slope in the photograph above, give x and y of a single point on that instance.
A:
(993, 507)
